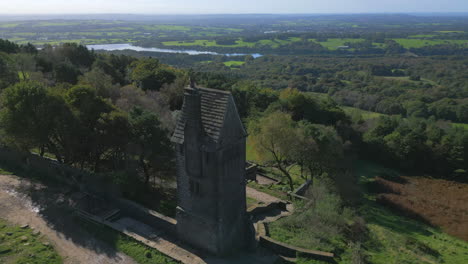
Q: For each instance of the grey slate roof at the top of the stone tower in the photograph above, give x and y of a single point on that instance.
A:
(214, 107)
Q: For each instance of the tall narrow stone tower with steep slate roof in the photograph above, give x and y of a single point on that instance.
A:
(210, 144)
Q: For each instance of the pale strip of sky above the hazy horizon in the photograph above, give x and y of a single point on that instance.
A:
(228, 6)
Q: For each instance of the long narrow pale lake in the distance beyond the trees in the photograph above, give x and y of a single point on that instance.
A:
(111, 47)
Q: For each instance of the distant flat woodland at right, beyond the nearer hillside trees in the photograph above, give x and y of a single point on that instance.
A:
(407, 86)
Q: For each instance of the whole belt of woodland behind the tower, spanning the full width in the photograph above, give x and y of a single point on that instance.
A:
(114, 114)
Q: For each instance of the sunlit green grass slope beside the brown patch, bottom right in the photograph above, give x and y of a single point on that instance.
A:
(397, 239)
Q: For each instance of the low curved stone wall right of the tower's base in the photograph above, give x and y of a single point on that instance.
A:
(292, 251)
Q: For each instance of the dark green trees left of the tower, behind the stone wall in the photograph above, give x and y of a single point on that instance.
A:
(103, 113)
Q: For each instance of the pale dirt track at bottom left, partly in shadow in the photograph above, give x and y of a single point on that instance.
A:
(24, 203)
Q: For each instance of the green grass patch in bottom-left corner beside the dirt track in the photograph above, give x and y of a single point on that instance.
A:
(21, 246)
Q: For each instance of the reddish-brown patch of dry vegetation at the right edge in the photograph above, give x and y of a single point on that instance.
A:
(438, 202)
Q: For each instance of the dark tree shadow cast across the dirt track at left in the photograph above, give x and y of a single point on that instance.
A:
(49, 196)
